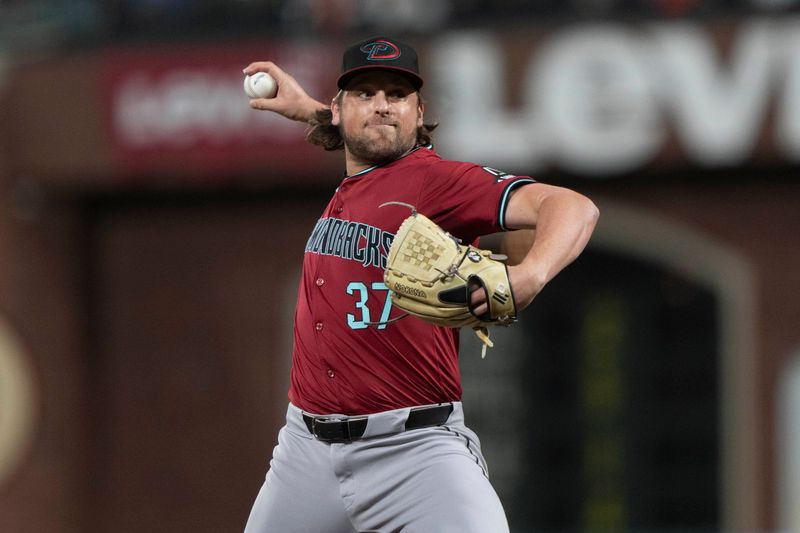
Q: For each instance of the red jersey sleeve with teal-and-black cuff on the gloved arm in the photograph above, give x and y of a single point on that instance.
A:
(468, 200)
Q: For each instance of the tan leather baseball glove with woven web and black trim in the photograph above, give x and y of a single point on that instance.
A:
(431, 275)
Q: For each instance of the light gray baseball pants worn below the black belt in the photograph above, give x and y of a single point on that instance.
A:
(427, 480)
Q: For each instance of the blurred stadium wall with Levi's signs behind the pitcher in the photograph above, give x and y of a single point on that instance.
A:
(152, 228)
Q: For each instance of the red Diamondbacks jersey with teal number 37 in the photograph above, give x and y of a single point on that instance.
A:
(347, 359)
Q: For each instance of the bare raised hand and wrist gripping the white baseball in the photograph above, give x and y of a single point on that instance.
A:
(291, 101)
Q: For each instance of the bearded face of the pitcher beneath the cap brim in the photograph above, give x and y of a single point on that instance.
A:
(378, 117)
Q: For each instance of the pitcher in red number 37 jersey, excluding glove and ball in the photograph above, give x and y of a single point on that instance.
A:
(375, 438)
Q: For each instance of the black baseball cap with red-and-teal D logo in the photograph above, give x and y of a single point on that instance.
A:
(380, 53)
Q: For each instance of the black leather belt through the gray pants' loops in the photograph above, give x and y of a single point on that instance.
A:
(352, 428)
